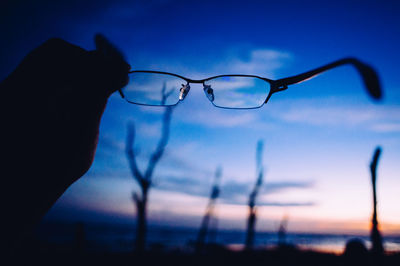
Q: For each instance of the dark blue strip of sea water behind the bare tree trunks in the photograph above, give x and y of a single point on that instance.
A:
(120, 238)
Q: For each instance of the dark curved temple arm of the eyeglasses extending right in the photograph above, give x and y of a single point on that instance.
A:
(368, 74)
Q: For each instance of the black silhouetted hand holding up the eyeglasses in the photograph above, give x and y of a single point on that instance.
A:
(53, 103)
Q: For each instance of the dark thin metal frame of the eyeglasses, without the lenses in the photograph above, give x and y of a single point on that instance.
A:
(368, 74)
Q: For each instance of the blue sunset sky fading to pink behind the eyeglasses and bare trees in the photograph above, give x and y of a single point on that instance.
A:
(319, 136)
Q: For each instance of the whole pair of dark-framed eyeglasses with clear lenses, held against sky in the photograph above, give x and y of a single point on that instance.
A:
(157, 88)
